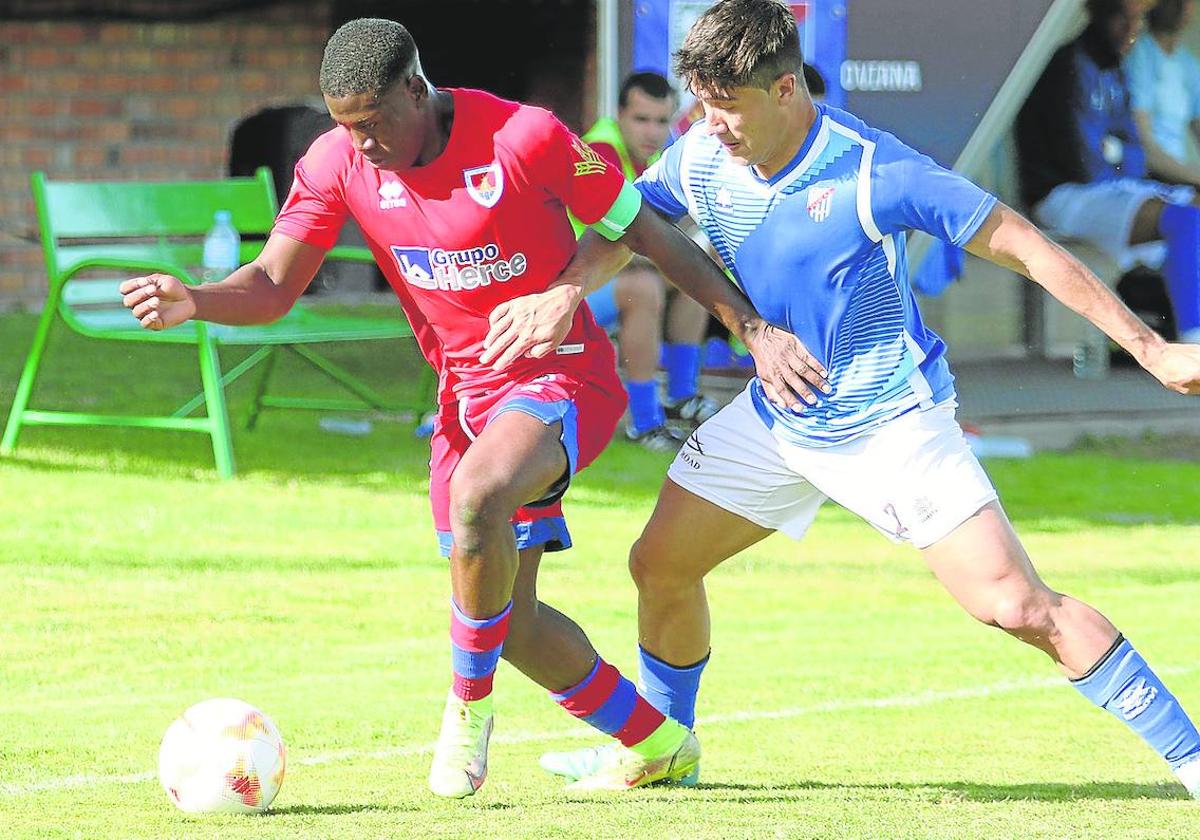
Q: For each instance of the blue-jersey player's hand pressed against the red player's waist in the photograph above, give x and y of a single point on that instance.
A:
(532, 326)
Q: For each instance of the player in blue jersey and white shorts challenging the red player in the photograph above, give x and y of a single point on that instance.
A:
(809, 207)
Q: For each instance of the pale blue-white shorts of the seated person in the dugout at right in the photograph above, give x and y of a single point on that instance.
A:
(1103, 214)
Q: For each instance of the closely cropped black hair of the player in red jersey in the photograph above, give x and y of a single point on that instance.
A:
(367, 56)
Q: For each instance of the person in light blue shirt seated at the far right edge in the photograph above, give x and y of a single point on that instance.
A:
(1165, 87)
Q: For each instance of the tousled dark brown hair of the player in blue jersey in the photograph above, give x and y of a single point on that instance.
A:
(741, 44)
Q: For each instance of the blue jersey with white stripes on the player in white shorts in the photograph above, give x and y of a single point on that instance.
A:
(820, 251)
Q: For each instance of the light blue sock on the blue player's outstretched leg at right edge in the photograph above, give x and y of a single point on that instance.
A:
(1124, 685)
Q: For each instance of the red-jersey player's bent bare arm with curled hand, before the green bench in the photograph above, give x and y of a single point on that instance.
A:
(257, 293)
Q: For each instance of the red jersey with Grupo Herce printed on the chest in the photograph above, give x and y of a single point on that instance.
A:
(481, 225)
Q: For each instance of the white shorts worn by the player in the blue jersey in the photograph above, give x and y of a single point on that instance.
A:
(915, 478)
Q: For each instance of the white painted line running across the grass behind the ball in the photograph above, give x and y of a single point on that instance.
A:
(899, 701)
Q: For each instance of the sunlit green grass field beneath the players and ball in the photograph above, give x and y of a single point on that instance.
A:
(848, 695)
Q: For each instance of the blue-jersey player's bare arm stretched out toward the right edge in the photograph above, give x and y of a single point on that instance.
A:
(1009, 239)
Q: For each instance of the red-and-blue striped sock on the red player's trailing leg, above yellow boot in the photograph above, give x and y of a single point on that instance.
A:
(610, 703)
